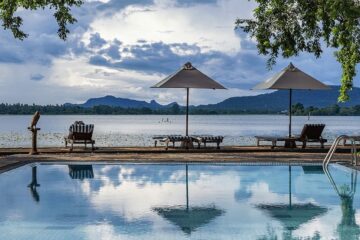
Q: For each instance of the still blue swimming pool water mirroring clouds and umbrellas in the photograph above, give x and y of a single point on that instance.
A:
(149, 201)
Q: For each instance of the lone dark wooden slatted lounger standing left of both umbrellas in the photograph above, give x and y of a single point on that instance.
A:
(80, 133)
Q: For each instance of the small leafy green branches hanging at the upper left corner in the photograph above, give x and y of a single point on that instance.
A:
(13, 23)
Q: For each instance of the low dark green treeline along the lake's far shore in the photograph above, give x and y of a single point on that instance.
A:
(298, 109)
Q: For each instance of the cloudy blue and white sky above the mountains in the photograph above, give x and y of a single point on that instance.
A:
(123, 47)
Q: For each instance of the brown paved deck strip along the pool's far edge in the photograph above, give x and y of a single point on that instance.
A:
(234, 155)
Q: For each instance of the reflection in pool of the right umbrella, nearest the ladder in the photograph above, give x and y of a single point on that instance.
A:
(291, 215)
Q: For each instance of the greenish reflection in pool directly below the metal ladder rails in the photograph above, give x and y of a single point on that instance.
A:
(348, 228)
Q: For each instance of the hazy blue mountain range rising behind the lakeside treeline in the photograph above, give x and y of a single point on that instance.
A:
(274, 101)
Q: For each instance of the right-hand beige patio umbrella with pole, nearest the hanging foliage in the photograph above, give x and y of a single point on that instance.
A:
(291, 78)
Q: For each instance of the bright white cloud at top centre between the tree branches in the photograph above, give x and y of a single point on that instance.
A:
(174, 22)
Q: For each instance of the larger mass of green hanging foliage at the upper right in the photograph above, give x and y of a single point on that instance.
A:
(288, 27)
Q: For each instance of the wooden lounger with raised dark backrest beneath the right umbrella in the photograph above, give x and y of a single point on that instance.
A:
(309, 133)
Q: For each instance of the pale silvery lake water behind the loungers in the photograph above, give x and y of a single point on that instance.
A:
(137, 130)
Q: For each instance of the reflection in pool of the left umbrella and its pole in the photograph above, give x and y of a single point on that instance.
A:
(189, 218)
